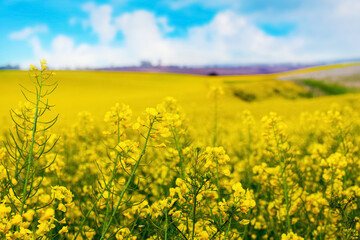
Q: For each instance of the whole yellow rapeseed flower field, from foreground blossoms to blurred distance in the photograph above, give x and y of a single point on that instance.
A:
(166, 156)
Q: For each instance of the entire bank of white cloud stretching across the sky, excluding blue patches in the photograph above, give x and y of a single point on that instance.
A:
(229, 38)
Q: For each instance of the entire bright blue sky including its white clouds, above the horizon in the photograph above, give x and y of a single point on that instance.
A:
(71, 34)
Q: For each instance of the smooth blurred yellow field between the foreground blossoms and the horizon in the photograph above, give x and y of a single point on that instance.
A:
(96, 91)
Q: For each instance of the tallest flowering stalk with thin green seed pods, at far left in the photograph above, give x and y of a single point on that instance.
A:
(29, 140)
